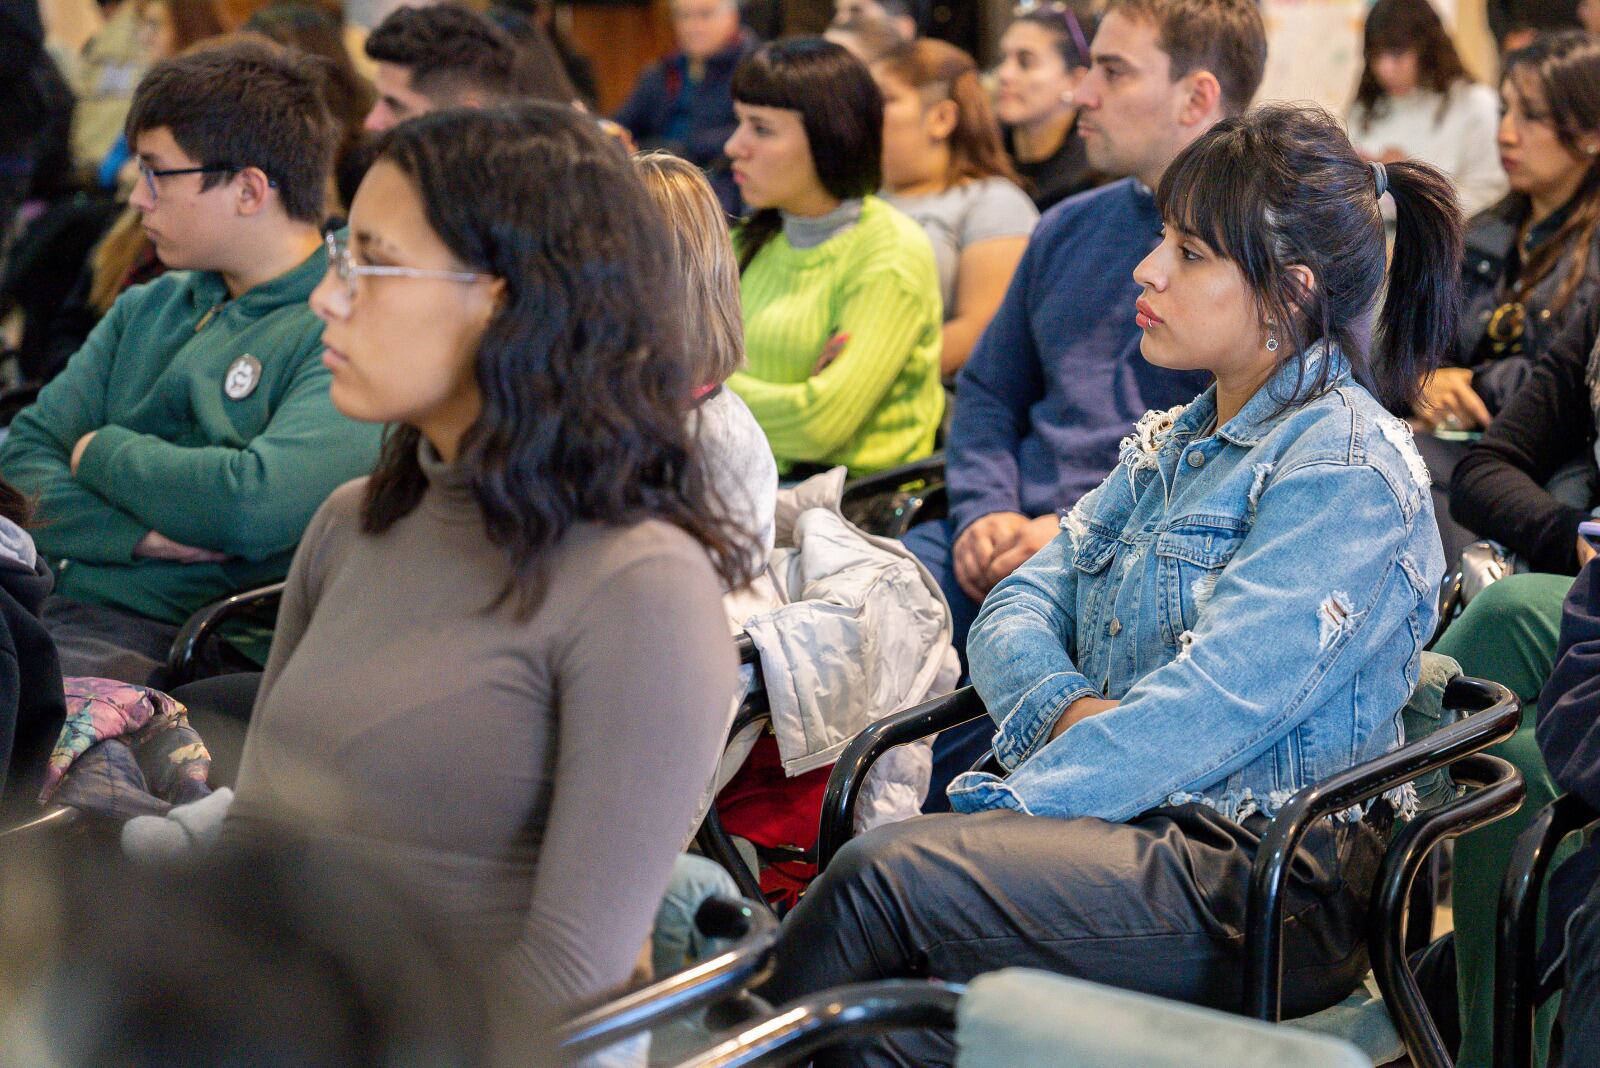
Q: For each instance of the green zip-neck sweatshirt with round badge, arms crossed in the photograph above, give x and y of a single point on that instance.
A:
(236, 464)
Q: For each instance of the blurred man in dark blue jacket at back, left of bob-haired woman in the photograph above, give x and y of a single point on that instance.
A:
(684, 105)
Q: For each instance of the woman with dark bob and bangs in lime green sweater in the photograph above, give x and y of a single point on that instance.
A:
(842, 314)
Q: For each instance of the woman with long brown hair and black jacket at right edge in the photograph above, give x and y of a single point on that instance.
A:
(1532, 263)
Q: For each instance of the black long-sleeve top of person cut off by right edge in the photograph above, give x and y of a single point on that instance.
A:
(1498, 488)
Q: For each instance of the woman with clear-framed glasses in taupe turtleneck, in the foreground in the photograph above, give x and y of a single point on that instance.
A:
(502, 660)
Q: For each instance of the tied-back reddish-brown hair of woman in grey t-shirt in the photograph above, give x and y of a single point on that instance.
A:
(945, 73)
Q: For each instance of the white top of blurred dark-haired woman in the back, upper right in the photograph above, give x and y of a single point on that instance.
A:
(1457, 138)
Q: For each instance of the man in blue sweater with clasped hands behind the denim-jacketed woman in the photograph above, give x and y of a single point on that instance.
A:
(1057, 380)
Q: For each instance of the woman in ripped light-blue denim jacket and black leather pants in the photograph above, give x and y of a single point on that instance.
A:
(1234, 615)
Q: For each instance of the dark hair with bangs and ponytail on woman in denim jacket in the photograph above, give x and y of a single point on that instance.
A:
(1281, 186)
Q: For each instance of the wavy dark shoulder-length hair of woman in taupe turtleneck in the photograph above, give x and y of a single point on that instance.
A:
(583, 373)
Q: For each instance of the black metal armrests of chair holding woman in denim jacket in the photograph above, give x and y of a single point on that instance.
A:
(1494, 715)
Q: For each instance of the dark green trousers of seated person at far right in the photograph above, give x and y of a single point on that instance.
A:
(1508, 636)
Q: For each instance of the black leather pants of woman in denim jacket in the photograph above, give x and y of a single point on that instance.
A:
(1154, 906)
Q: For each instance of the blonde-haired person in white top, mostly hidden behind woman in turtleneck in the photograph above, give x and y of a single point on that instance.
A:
(734, 447)
